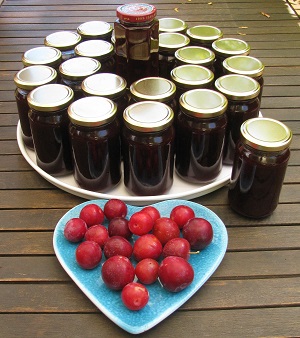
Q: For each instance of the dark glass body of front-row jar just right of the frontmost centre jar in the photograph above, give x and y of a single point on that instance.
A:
(199, 147)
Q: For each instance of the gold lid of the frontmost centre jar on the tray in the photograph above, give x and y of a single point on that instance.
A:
(148, 116)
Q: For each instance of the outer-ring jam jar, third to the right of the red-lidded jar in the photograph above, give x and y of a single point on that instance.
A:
(226, 47)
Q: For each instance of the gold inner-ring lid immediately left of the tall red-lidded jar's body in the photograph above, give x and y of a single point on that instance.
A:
(96, 49)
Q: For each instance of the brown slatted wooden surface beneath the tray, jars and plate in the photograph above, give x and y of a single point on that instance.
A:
(255, 292)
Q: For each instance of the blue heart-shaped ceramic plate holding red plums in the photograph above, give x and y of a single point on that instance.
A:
(161, 303)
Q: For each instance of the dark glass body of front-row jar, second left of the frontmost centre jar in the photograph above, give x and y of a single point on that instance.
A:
(51, 141)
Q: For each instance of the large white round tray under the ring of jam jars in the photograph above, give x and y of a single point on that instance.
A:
(180, 188)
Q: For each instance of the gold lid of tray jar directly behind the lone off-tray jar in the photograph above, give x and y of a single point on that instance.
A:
(237, 87)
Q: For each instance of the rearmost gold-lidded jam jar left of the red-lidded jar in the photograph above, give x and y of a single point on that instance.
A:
(91, 30)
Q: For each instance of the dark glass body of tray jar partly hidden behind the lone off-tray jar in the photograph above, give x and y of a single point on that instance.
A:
(237, 112)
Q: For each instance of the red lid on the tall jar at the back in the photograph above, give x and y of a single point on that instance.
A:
(136, 12)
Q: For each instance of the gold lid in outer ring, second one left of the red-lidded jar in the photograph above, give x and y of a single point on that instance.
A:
(62, 40)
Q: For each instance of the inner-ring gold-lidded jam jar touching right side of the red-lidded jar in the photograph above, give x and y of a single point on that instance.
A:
(168, 45)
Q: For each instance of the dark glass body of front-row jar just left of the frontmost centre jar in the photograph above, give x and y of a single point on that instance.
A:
(97, 155)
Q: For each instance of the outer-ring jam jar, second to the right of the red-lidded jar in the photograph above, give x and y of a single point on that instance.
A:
(204, 35)
